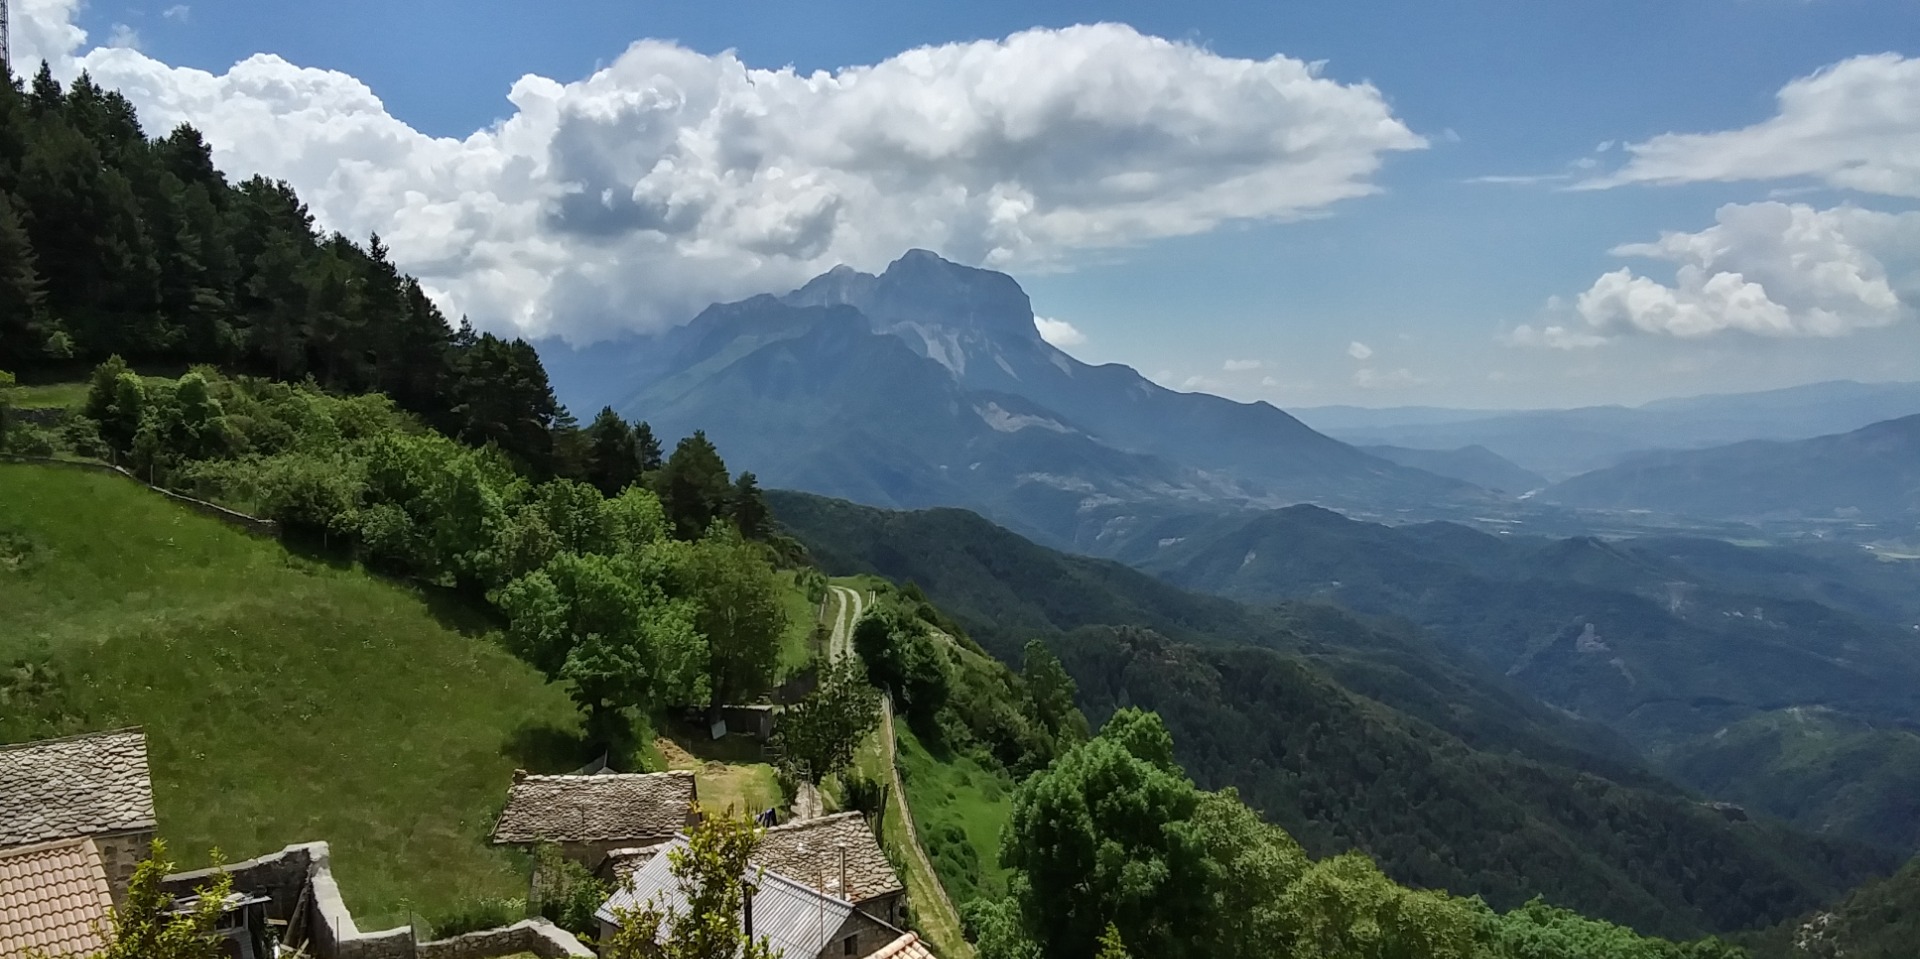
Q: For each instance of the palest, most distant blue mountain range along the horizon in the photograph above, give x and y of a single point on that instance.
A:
(1564, 443)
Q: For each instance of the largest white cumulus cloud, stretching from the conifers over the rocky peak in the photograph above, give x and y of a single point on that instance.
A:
(671, 178)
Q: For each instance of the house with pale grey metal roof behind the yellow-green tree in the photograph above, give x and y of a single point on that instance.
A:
(800, 922)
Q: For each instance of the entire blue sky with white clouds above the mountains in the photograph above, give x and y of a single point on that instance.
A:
(1404, 203)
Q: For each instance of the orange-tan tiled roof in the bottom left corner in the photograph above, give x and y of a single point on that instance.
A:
(55, 900)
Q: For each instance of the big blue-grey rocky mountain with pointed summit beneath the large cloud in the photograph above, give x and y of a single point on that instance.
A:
(930, 385)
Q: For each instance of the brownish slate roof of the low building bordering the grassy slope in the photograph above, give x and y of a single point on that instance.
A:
(604, 808)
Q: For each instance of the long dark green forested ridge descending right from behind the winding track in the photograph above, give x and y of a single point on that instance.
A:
(1456, 789)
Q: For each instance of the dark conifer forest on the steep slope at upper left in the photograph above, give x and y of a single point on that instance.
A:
(120, 243)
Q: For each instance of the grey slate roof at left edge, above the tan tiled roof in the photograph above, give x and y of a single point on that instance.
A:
(74, 787)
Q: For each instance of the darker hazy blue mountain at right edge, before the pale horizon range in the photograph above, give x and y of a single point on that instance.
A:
(1869, 474)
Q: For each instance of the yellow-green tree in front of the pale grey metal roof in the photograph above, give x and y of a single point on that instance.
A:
(715, 875)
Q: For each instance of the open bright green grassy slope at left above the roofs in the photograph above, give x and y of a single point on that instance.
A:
(285, 701)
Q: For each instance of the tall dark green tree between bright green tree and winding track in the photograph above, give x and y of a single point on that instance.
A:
(740, 614)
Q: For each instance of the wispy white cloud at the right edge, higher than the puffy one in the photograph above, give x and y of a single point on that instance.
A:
(1852, 126)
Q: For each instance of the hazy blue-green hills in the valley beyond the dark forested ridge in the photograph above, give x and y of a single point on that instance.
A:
(1702, 652)
